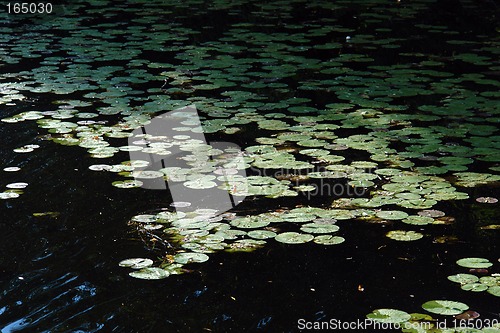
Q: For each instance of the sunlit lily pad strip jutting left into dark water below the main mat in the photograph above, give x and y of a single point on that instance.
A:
(203, 231)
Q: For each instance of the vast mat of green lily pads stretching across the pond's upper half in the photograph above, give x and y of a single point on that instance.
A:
(308, 103)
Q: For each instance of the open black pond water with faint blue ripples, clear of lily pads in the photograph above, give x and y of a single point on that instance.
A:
(61, 274)
